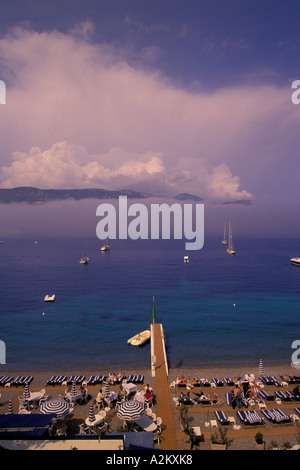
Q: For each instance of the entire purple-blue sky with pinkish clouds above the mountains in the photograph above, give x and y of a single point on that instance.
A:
(164, 96)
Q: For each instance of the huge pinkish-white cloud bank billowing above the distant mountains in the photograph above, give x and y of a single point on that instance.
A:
(78, 115)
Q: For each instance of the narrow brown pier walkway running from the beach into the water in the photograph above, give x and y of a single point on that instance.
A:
(168, 438)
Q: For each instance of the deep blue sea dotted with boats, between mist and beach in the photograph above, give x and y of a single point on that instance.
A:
(216, 310)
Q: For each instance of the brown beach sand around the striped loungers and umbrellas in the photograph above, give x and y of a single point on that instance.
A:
(242, 439)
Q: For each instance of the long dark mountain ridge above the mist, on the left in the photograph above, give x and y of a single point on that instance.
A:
(34, 195)
